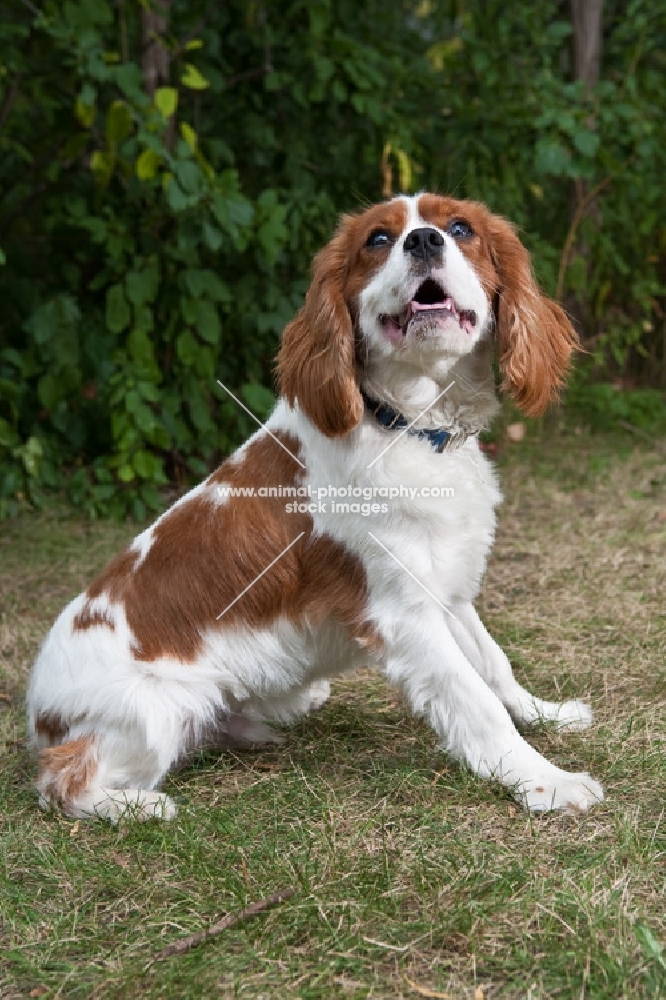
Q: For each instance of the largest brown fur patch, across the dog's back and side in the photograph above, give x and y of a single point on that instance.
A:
(206, 551)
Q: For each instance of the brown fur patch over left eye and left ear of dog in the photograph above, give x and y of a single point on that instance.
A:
(317, 360)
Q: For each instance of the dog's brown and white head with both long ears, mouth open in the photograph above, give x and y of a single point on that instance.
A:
(419, 279)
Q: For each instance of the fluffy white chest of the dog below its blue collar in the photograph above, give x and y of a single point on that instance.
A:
(415, 511)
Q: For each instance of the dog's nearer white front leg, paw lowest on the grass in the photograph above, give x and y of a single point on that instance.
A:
(429, 666)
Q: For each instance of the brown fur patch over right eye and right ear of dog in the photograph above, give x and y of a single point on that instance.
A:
(535, 337)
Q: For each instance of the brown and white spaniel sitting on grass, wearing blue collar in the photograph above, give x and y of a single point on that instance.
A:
(353, 528)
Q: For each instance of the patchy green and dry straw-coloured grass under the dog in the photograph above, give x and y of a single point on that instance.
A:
(410, 875)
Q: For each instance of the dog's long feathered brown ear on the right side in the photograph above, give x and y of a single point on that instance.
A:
(535, 337)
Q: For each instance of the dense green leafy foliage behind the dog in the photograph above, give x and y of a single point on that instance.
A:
(151, 247)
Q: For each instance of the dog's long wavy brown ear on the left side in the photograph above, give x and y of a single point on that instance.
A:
(316, 363)
